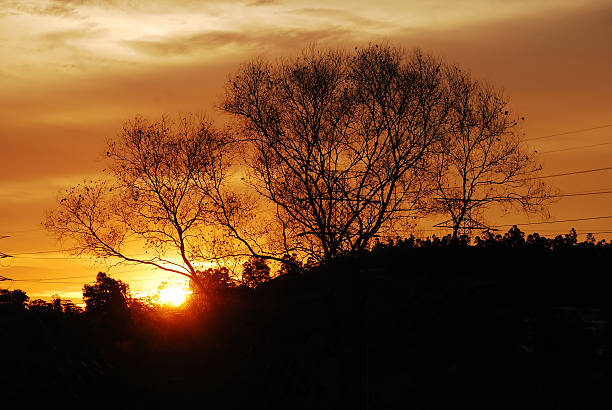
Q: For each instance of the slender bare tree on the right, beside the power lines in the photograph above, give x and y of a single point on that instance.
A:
(485, 161)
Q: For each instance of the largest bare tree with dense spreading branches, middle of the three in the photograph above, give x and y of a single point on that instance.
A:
(340, 143)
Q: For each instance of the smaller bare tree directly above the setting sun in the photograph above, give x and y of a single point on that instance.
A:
(162, 189)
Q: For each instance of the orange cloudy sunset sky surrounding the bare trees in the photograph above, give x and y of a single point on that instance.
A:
(72, 71)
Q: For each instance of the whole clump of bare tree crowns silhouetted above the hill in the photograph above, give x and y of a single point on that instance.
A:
(336, 149)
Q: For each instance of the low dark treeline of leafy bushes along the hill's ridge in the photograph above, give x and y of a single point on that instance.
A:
(108, 293)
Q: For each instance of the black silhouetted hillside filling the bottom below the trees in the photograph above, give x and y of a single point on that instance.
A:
(508, 322)
